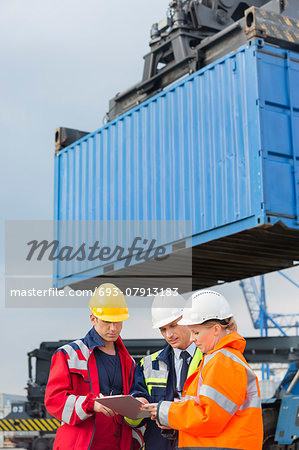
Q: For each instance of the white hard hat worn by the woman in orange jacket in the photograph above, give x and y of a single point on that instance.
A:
(203, 306)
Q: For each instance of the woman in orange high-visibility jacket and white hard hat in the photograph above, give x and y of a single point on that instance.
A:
(220, 407)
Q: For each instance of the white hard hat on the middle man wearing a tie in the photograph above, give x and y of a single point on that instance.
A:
(167, 308)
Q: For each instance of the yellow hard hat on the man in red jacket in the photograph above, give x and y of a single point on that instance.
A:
(108, 303)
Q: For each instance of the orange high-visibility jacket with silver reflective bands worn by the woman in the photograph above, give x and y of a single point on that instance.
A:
(221, 404)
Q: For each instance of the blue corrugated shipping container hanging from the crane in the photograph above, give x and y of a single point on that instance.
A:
(218, 150)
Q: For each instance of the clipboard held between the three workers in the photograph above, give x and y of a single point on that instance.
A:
(125, 405)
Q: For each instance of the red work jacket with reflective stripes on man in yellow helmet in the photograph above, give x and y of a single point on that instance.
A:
(73, 385)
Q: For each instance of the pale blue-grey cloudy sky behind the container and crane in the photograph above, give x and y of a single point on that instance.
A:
(61, 62)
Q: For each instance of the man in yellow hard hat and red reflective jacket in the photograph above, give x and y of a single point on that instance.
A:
(83, 370)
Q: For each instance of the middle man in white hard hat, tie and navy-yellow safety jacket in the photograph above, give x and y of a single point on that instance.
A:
(161, 376)
